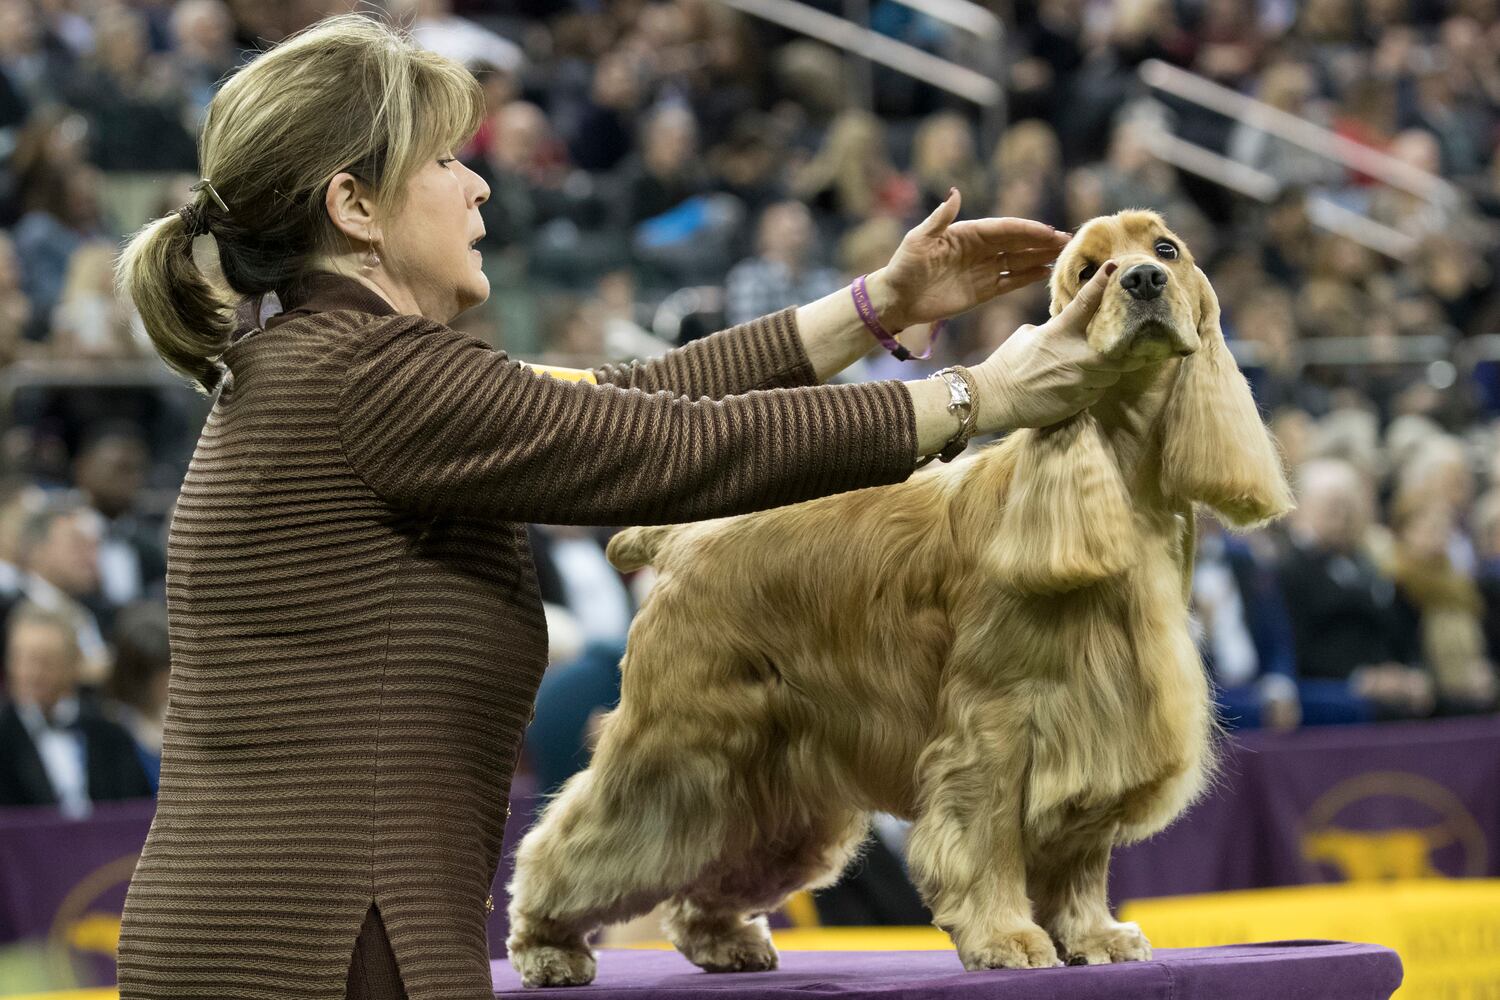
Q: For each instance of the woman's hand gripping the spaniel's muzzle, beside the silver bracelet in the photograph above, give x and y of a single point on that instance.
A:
(1046, 374)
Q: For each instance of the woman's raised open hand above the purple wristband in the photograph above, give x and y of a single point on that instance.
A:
(947, 268)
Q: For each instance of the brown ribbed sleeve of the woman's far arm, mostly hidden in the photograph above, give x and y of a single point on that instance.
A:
(764, 353)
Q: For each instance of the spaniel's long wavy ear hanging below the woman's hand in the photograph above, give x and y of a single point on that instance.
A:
(1066, 519)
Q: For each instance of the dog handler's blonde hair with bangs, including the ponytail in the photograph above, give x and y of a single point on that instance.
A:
(349, 94)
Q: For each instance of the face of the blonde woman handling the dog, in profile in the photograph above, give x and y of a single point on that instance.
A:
(425, 251)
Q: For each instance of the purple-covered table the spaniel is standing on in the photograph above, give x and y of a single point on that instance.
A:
(1279, 971)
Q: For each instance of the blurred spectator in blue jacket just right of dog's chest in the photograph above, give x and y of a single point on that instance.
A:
(1244, 633)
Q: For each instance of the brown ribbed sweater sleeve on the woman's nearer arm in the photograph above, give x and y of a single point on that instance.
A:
(439, 424)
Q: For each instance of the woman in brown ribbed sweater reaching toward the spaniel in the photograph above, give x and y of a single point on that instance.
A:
(355, 626)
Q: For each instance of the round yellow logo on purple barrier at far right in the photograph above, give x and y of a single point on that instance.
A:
(1433, 827)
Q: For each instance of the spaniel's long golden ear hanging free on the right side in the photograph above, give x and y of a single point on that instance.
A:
(1216, 451)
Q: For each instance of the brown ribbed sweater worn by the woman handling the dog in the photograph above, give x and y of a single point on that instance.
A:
(356, 630)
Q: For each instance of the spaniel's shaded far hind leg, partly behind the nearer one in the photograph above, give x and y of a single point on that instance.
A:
(719, 923)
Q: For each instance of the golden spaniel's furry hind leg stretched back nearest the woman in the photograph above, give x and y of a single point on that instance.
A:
(620, 839)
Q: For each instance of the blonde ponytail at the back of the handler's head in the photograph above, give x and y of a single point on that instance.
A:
(188, 322)
